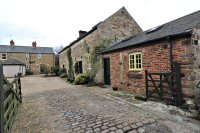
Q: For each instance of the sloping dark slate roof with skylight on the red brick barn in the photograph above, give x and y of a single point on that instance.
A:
(178, 27)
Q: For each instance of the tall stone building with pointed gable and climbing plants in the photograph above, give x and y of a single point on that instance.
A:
(118, 26)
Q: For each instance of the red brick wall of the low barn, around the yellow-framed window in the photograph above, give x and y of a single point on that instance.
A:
(155, 58)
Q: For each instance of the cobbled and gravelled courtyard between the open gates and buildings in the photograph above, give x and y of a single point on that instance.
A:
(50, 105)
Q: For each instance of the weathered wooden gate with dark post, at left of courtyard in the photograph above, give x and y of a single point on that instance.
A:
(10, 98)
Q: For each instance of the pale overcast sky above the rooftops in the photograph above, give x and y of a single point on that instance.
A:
(57, 22)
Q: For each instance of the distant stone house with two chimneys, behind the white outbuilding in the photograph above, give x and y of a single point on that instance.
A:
(36, 59)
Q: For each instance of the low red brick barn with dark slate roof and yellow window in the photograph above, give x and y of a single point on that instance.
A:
(127, 60)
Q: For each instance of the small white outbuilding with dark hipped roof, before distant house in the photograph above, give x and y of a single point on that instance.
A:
(13, 67)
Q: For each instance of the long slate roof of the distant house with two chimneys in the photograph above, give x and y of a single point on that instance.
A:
(26, 49)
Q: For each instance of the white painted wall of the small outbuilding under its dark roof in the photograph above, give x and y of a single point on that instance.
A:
(12, 70)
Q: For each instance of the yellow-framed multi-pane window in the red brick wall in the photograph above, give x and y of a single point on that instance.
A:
(135, 61)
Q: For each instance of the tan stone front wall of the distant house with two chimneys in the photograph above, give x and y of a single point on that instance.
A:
(47, 59)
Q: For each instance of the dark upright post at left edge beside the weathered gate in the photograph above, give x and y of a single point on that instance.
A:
(1, 101)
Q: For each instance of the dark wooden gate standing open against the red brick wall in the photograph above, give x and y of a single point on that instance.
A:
(165, 86)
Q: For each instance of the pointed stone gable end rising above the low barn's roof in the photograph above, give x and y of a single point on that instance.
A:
(118, 26)
